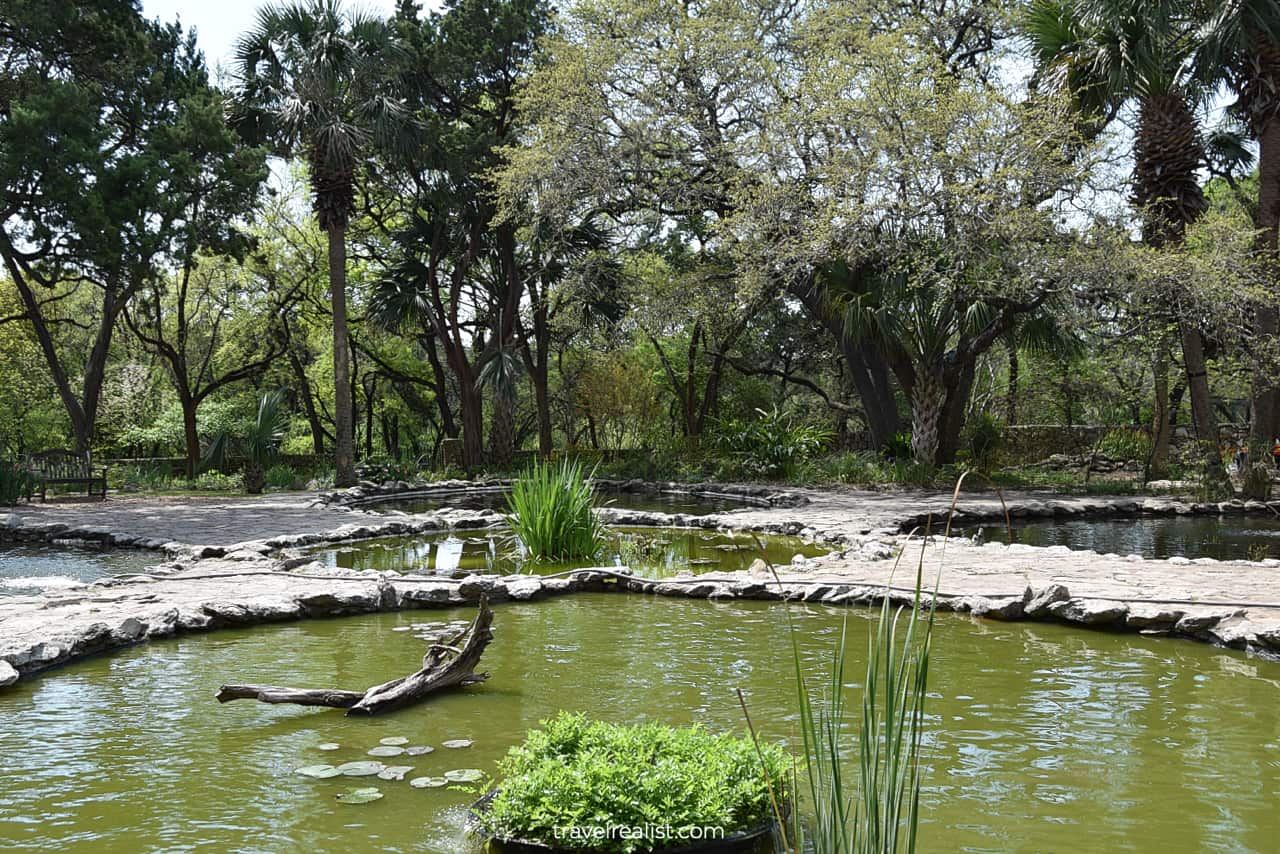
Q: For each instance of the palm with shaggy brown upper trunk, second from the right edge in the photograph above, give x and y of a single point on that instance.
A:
(1109, 53)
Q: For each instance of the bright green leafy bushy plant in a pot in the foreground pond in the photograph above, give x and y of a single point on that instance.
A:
(579, 786)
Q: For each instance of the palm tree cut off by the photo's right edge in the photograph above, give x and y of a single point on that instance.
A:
(1240, 47)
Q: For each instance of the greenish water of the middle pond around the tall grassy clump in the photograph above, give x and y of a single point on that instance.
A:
(653, 552)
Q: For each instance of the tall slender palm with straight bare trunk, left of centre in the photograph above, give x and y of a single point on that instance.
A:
(312, 81)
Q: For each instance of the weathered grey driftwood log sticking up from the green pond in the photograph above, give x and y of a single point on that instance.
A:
(444, 666)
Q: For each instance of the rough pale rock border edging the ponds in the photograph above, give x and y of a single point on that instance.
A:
(204, 587)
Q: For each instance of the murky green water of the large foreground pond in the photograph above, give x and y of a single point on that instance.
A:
(1040, 738)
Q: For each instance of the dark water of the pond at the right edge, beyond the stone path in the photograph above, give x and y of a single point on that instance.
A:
(1226, 538)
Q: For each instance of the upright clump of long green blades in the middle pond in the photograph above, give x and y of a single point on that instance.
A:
(551, 509)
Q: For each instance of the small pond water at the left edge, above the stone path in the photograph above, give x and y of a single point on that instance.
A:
(26, 568)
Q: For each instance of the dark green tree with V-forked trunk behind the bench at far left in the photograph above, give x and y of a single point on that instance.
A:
(138, 180)
